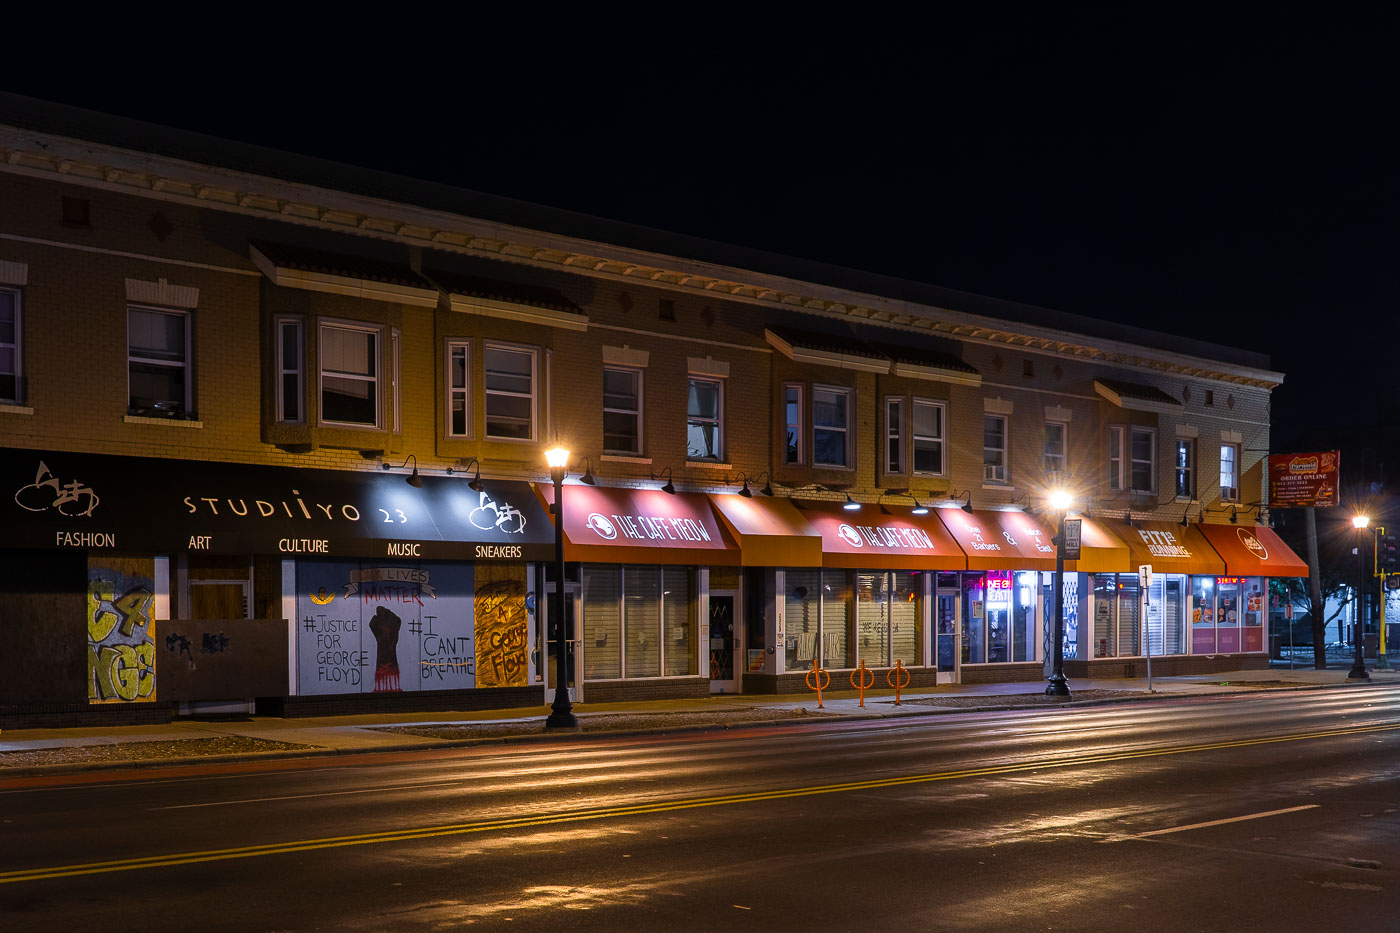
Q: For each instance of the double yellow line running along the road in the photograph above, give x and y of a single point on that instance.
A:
(666, 806)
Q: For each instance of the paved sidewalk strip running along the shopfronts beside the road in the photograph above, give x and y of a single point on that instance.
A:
(29, 752)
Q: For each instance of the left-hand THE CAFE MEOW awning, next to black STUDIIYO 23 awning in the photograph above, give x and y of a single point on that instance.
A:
(642, 526)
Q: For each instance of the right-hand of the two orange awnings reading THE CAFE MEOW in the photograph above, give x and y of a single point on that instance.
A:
(881, 539)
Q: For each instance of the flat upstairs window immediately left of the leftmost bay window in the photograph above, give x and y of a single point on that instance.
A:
(159, 362)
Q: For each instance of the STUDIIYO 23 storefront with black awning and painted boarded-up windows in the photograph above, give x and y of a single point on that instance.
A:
(220, 583)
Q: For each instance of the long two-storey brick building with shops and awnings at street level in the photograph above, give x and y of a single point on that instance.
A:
(219, 368)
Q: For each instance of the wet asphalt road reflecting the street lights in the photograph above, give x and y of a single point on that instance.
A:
(1275, 812)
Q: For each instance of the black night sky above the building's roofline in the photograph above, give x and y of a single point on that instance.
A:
(1228, 177)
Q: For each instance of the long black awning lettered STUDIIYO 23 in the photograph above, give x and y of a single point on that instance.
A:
(135, 505)
